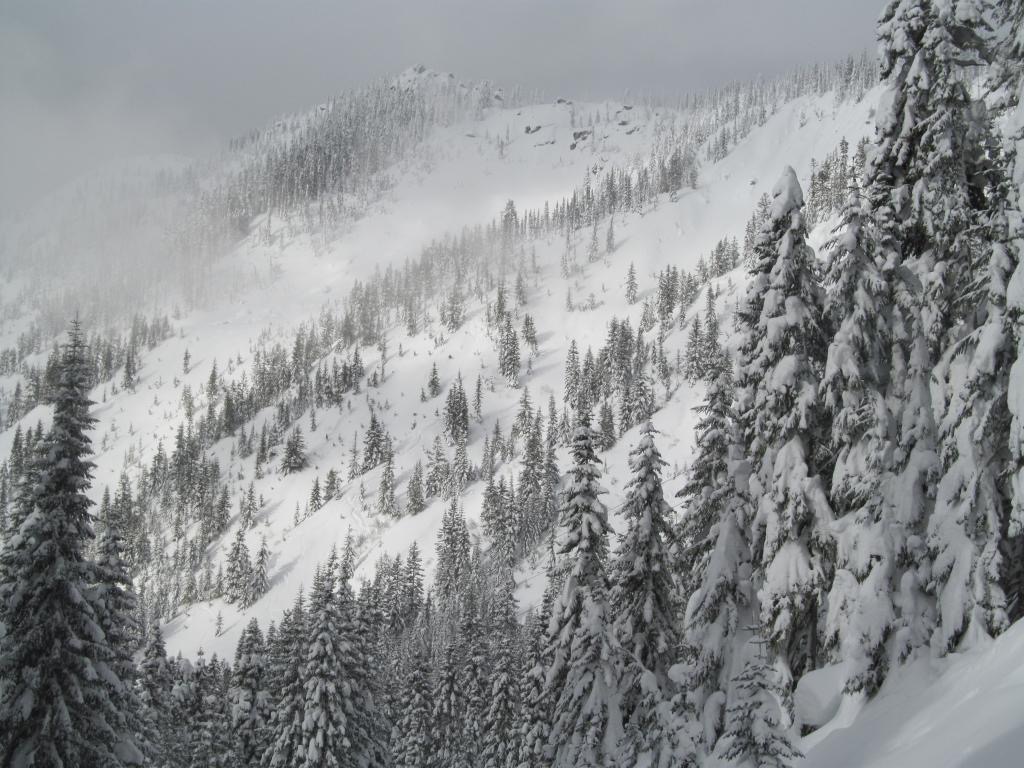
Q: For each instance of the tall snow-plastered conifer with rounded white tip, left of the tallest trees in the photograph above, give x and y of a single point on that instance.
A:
(782, 359)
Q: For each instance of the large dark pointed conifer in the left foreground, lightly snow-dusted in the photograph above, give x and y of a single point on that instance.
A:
(59, 675)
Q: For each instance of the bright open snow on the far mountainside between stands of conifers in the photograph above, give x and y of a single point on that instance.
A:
(462, 177)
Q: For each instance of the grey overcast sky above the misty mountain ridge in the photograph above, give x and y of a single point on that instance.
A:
(84, 82)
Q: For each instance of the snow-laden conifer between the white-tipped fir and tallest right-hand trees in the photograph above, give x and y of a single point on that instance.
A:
(862, 609)
